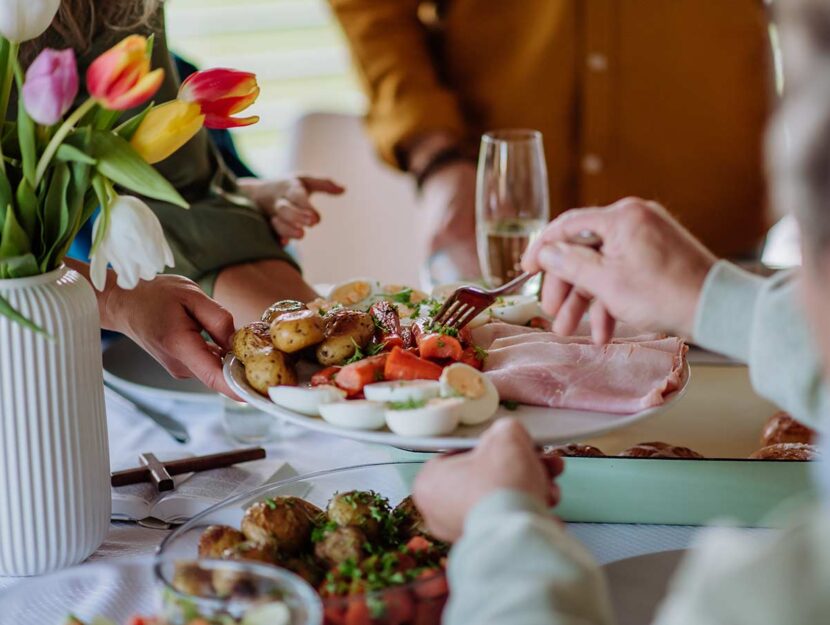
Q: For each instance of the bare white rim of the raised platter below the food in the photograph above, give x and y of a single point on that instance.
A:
(546, 425)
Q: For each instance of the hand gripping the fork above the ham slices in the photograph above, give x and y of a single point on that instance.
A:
(649, 272)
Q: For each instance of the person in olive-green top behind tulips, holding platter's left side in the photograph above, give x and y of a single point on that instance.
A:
(231, 239)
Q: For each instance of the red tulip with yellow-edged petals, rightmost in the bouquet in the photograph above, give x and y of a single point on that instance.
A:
(221, 93)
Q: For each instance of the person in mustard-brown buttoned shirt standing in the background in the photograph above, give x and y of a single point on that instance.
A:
(660, 99)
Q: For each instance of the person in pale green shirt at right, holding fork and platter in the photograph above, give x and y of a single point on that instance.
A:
(514, 563)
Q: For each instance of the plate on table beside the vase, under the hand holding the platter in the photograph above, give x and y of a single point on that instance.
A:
(133, 371)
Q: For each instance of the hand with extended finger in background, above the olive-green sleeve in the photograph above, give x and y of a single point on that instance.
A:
(288, 202)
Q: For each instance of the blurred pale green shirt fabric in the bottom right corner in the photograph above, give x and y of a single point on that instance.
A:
(747, 579)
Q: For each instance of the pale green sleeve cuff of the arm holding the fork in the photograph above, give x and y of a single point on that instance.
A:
(760, 321)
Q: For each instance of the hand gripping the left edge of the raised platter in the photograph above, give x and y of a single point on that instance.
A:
(165, 316)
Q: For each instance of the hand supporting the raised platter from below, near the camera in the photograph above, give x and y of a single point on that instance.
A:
(450, 486)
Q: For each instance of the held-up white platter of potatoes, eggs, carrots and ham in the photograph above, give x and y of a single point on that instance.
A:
(367, 363)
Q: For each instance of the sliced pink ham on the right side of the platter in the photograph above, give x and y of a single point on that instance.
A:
(544, 369)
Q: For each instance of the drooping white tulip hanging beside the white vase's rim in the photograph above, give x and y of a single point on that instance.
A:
(134, 245)
